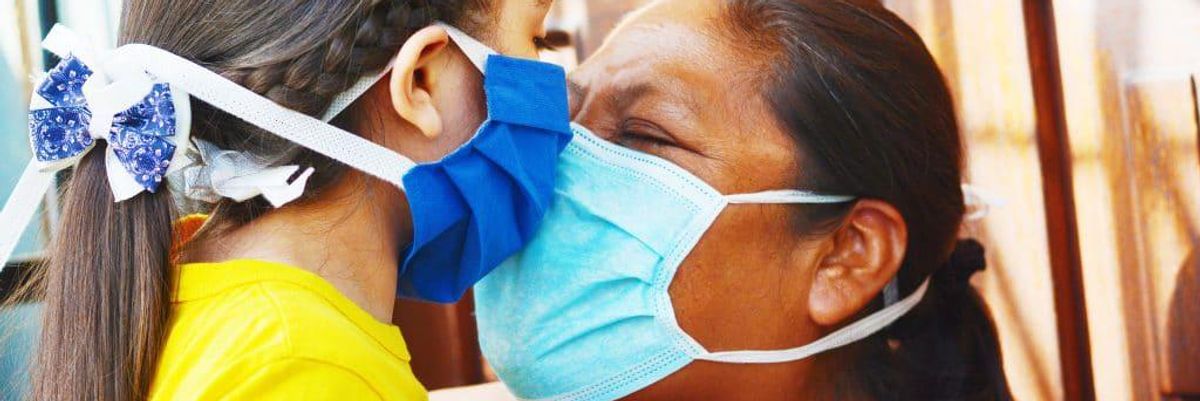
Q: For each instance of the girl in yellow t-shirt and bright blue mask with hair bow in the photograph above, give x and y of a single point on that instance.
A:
(262, 301)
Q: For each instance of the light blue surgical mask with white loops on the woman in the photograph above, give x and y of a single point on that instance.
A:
(584, 313)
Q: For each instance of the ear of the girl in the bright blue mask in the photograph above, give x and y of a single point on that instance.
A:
(413, 76)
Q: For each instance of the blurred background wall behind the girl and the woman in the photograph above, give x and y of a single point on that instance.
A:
(1081, 117)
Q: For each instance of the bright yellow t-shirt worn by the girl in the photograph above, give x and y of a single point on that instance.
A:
(260, 331)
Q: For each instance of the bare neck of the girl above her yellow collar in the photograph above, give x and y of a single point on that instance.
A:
(352, 237)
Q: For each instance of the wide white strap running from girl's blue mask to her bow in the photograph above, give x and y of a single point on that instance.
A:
(307, 131)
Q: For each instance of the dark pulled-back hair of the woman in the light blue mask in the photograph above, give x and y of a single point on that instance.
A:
(867, 104)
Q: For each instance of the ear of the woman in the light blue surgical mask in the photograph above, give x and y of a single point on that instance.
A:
(866, 255)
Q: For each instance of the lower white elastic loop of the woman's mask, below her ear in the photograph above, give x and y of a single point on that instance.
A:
(844, 337)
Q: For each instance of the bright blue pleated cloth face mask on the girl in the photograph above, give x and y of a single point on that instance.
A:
(484, 202)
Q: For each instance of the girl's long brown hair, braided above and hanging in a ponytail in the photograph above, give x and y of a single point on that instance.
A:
(106, 284)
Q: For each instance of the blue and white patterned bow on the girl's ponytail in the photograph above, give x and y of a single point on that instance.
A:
(88, 98)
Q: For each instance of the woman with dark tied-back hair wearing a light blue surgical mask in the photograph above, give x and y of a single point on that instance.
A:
(665, 272)
